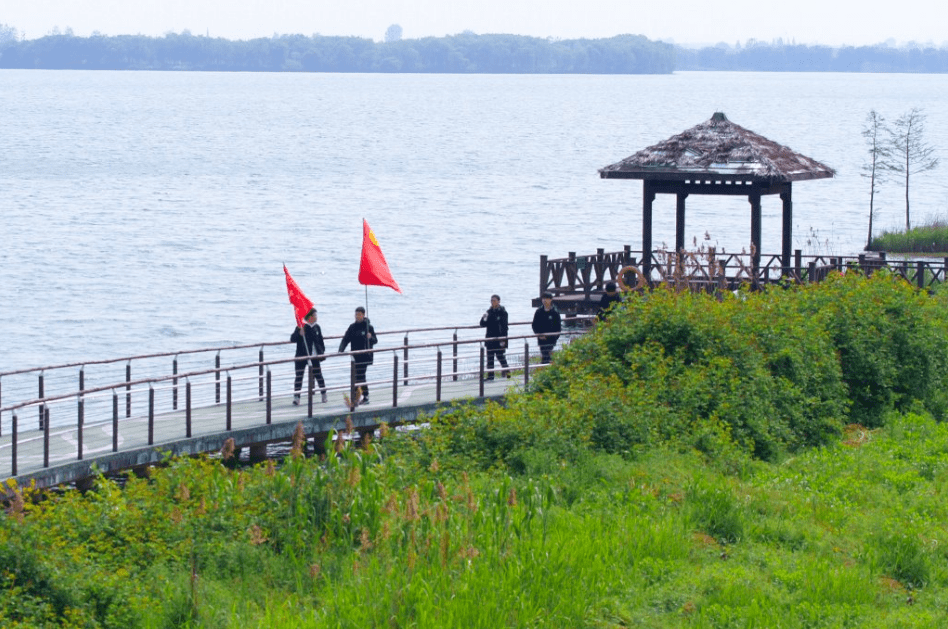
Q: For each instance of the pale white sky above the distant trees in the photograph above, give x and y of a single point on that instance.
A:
(694, 22)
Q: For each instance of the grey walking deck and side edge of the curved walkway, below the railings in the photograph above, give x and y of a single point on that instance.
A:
(59, 463)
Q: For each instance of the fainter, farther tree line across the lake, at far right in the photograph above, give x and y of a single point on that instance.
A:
(778, 56)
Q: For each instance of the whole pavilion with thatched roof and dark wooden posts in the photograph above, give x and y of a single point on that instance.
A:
(722, 158)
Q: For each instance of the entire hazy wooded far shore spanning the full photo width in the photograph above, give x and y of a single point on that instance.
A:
(466, 53)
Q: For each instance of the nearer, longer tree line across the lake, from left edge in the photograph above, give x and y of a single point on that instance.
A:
(463, 53)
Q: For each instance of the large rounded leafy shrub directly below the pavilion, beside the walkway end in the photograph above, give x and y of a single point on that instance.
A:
(666, 364)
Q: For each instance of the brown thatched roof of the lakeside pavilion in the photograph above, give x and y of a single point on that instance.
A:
(718, 148)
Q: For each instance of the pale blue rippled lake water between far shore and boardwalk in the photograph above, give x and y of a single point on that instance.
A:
(145, 212)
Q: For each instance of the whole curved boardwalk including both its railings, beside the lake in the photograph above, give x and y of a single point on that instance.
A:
(68, 429)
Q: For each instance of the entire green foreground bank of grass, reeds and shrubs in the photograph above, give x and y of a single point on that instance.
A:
(769, 460)
